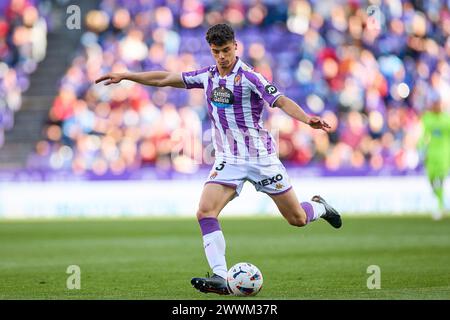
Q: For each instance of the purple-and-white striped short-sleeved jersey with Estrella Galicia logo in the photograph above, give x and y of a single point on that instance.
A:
(235, 106)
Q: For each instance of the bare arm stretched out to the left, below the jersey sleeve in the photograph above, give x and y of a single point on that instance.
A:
(149, 78)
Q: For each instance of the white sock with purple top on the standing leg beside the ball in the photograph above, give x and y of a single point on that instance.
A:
(214, 245)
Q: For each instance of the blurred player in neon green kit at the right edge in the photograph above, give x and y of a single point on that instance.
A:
(435, 143)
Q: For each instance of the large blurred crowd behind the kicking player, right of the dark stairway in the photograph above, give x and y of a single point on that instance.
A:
(369, 68)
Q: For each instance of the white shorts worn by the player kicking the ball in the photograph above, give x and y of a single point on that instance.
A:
(267, 175)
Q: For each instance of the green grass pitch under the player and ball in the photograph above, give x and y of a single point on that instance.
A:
(155, 259)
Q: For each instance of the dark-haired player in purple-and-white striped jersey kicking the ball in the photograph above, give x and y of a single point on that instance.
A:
(244, 150)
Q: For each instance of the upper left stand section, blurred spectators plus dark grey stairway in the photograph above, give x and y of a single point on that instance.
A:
(35, 50)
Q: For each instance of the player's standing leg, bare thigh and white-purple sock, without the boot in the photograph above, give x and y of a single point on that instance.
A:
(213, 199)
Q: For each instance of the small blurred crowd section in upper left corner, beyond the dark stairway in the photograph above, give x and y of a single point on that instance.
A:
(23, 43)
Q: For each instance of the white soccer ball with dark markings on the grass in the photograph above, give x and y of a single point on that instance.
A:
(244, 279)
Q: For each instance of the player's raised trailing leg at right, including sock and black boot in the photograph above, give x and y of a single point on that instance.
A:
(300, 214)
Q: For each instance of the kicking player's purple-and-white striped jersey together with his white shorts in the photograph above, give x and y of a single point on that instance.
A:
(245, 150)
